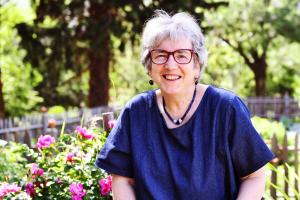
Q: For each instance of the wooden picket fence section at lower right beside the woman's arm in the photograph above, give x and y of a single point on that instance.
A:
(286, 155)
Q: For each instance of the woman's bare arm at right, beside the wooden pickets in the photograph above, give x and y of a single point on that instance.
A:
(252, 186)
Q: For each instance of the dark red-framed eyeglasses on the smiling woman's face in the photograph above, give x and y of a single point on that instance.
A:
(181, 56)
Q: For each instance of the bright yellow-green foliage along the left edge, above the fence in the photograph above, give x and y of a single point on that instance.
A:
(18, 77)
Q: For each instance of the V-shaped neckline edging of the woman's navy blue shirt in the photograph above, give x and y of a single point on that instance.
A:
(204, 97)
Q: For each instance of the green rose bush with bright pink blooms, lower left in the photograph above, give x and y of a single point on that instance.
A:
(65, 168)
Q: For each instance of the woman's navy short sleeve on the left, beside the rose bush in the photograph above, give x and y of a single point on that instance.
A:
(115, 156)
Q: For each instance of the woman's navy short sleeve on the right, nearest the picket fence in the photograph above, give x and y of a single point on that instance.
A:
(248, 150)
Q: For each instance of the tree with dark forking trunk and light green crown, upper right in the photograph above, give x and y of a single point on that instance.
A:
(249, 28)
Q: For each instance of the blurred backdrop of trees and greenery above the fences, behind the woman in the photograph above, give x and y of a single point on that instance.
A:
(86, 52)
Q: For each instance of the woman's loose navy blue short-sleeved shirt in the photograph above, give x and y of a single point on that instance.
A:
(202, 159)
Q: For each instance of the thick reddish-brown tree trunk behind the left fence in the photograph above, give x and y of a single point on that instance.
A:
(99, 72)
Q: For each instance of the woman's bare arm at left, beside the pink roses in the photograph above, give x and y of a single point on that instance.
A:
(122, 188)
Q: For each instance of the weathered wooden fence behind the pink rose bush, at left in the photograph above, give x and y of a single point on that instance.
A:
(28, 128)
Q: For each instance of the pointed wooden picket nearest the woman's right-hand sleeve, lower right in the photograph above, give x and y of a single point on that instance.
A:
(275, 150)
